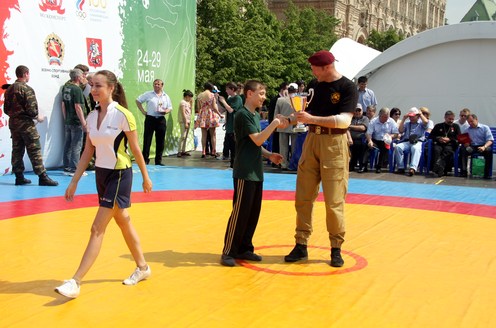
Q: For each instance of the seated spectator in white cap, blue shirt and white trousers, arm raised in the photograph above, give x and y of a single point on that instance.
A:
(413, 134)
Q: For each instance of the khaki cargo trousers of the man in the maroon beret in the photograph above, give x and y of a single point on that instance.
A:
(325, 160)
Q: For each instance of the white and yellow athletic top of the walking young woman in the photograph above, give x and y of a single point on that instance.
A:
(110, 140)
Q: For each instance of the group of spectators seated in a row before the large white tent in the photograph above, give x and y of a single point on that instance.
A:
(414, 141)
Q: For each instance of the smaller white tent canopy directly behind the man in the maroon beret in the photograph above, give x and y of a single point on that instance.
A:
(352, 56)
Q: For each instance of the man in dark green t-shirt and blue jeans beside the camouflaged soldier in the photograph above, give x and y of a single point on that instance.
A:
(74, 120)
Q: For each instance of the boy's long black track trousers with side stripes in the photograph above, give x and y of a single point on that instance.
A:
(247, 203)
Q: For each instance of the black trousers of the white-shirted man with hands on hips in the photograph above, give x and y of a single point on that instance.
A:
(157, 125)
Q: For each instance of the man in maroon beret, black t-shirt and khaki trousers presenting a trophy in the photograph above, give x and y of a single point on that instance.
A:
(325, 156)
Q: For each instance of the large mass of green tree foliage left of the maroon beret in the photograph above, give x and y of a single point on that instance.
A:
(241, 39)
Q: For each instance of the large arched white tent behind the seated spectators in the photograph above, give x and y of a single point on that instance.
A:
(447, 68)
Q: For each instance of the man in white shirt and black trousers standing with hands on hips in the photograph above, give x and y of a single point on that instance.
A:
(158, 104)
